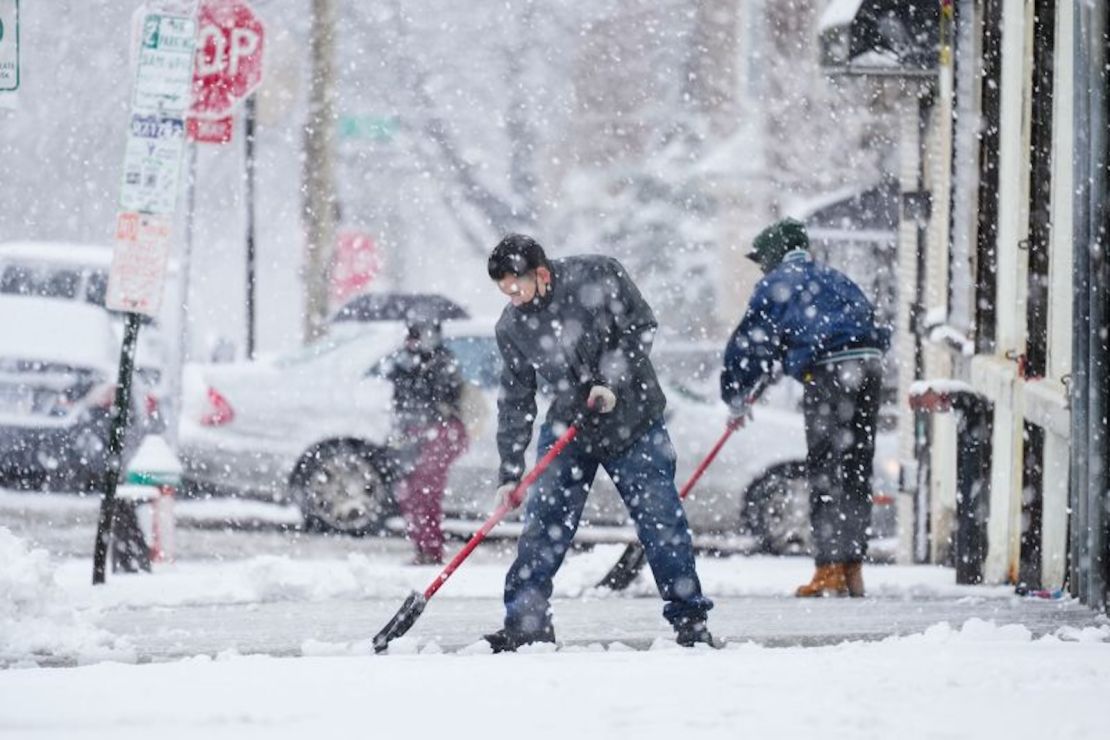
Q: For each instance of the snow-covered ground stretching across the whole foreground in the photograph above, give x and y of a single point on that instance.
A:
(266, 633)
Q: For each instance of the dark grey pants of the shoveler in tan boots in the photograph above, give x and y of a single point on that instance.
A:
(842, 402)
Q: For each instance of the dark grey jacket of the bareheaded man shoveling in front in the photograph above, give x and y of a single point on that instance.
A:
(592, 328)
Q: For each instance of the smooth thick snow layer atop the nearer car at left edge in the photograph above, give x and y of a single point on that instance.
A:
(49, 330)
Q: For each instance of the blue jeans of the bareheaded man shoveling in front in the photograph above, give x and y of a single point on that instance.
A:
(644, 477)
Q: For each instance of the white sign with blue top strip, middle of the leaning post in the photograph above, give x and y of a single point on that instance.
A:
(153, 164)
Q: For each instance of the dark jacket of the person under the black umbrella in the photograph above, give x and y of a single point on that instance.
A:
(427, 388)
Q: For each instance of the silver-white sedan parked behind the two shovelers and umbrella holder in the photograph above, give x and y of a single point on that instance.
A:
(312, 428)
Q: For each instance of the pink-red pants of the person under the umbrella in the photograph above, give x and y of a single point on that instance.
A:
(420, 495)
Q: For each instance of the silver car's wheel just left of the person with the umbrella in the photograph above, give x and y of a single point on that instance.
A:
(345, 486)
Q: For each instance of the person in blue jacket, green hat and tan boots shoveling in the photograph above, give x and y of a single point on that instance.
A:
(822, 329)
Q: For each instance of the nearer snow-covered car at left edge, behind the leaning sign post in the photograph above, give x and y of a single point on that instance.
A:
(58, 372)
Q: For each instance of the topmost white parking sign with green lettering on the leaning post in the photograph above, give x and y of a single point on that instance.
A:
(165, 75)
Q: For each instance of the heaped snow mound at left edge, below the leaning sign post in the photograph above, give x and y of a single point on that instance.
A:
(35, 623)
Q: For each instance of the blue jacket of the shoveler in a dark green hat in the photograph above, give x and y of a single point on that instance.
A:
(803, 313)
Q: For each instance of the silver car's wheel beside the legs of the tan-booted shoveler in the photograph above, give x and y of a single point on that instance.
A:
(776, 511)
